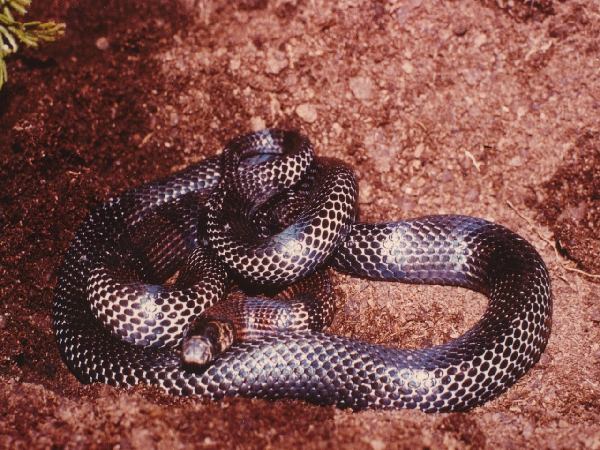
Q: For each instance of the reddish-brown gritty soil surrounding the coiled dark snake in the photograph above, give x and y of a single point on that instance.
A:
(488, 108)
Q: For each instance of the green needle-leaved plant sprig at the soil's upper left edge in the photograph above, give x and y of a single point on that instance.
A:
(28, 33)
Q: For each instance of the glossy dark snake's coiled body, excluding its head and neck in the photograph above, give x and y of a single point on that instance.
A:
(147, 262)
